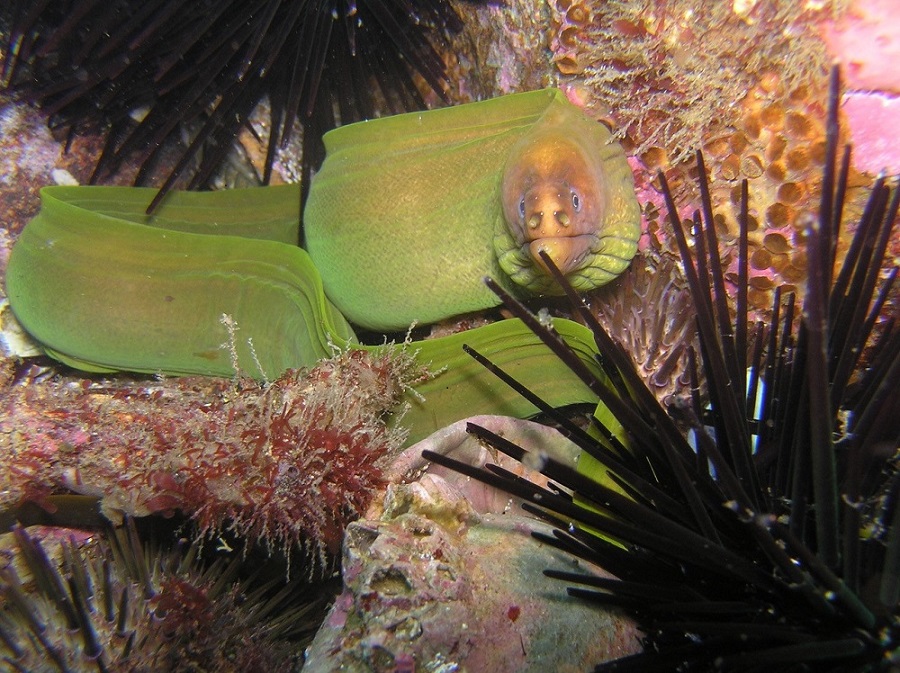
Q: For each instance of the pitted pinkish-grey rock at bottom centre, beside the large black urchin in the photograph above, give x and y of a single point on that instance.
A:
(432, 585)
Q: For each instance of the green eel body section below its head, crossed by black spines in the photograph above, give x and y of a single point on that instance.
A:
(465, 387)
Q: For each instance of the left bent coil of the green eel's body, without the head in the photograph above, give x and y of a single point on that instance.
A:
(102, 291)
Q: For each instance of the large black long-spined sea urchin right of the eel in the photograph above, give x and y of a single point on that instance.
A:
(772, 543)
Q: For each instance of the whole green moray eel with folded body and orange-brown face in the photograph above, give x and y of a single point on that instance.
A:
(403, 221)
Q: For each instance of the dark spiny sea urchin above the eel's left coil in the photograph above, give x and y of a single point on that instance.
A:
(140, 71)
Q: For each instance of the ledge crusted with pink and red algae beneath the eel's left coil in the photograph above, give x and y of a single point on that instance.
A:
(287, 463)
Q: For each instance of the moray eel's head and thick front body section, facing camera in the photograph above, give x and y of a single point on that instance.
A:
(406, 215)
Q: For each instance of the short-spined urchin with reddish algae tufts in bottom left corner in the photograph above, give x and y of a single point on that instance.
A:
(124, 605)
